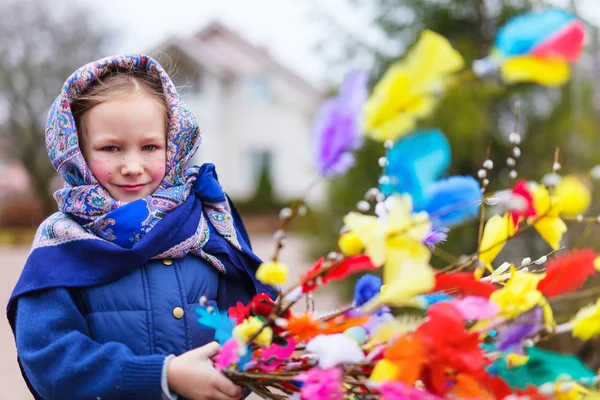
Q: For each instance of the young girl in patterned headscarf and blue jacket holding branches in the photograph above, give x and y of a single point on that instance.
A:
(104, 308)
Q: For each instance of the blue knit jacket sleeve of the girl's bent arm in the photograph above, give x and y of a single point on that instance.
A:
(61, 361)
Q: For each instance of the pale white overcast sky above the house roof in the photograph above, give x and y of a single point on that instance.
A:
(287, 28)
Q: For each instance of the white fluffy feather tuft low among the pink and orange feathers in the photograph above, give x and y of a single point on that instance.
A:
(333, 350)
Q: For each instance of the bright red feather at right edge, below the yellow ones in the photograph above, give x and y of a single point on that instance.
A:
(568, 273)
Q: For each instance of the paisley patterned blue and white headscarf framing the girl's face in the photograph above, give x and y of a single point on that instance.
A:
(87, 212)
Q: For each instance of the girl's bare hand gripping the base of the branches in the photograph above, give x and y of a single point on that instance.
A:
(193, 376)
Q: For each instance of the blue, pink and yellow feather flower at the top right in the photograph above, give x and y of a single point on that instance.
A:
(536, 47)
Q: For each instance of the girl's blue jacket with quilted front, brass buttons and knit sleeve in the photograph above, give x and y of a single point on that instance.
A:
(109, 342)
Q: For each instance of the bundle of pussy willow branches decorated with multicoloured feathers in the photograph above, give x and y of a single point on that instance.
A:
(468, 330)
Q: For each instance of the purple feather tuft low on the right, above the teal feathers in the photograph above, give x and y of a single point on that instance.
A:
(524, 326)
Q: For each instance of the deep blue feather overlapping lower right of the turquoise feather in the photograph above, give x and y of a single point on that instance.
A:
(452, 201)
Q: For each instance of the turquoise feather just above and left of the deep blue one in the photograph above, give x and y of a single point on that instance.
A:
(415, 162)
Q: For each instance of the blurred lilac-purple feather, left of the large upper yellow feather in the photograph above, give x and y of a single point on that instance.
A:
(337, 127)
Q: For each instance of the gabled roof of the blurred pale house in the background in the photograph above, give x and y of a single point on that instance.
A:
(196, 48)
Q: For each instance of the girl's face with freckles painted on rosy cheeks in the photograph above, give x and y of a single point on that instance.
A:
(125, 145)
